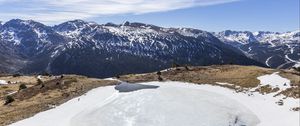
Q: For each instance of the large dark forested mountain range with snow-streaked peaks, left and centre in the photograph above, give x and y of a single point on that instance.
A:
(104, 50)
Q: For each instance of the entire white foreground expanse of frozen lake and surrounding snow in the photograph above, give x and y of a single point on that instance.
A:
(169, 104)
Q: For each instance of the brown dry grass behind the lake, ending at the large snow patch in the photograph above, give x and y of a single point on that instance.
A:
(244, 76)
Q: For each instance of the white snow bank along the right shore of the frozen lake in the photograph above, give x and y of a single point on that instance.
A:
(263, 106)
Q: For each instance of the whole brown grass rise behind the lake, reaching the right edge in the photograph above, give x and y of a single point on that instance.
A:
(242, 77)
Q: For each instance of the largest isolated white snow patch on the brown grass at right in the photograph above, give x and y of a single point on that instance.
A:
(275, 80)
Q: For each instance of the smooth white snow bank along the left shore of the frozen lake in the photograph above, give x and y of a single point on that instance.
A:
(63, 114)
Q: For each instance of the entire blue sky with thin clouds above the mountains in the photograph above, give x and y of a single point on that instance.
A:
(209, 15)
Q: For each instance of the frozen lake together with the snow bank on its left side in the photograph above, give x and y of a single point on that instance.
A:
(147, 104)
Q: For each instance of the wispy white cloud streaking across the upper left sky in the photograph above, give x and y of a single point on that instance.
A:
(53, 11)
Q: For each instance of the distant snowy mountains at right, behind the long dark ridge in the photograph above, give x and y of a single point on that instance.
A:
(277, 50)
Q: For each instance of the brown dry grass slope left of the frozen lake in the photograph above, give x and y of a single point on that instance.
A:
(36, 99)
